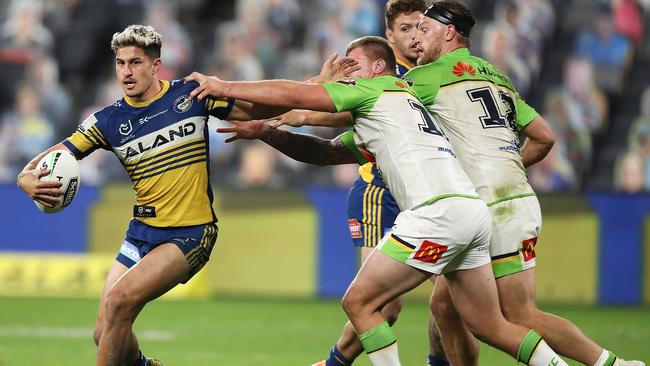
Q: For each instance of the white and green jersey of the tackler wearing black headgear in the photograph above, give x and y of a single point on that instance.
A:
(482, 114)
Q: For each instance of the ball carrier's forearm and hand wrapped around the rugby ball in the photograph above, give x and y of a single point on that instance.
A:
(46, 192)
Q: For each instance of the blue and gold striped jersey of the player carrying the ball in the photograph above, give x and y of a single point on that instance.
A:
(163, 145)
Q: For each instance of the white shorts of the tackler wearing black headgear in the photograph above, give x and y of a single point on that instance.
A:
(516, 225)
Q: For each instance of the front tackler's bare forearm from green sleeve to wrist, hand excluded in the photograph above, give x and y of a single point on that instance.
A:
(280, 93)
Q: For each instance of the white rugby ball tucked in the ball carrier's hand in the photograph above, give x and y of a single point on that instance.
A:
(65, 169)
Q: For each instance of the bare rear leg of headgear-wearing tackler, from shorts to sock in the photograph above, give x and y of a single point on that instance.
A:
(517, 297)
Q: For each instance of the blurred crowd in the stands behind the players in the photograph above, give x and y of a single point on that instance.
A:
(583, 64)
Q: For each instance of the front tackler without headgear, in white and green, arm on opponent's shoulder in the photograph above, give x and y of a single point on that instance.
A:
(443, 228)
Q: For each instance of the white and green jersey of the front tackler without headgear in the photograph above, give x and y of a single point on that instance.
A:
(392, 127)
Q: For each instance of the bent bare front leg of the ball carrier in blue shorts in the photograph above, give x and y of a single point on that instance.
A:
(158, 272)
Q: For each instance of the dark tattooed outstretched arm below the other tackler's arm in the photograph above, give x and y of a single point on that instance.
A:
(305, 148)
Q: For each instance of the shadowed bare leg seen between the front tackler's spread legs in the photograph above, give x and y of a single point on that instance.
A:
(460, 345)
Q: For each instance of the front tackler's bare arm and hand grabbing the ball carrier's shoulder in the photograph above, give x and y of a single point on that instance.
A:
(281, 93)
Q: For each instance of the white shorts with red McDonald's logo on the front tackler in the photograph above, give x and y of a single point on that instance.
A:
(449, 235)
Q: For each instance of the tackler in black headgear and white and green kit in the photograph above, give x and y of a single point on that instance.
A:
(483, 115)
